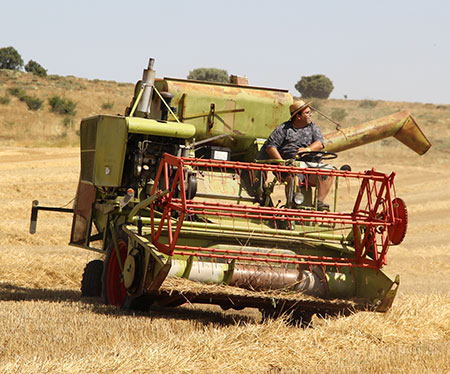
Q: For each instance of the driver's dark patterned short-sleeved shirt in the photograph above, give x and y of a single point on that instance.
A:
(287, 139)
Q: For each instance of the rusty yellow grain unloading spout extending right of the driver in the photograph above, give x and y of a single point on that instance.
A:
(401, 126)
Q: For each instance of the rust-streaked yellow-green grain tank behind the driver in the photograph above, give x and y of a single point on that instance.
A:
(243, 112)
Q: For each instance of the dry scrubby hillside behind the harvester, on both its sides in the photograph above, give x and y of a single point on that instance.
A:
(20, 125)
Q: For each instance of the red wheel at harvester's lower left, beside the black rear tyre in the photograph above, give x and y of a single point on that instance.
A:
(114, 291)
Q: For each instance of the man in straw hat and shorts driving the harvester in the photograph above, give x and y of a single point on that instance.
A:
(295, 136)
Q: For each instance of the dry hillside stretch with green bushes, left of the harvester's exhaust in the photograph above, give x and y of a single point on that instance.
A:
(21, 126)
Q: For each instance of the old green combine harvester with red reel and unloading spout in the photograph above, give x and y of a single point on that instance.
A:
(183, 213)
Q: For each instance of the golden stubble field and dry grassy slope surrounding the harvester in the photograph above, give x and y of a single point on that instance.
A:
(46, 327)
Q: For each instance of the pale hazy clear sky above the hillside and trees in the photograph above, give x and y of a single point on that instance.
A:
(396, 50)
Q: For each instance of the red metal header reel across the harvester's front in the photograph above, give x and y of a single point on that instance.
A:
(376, 220)
